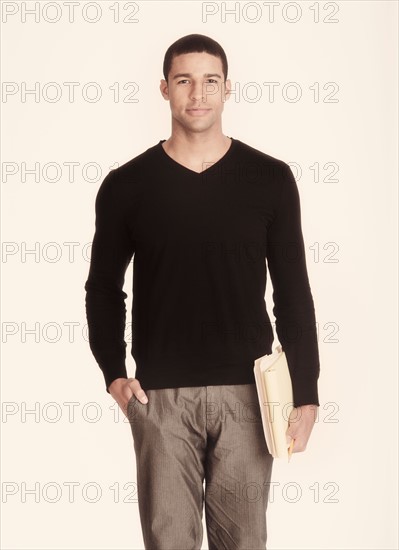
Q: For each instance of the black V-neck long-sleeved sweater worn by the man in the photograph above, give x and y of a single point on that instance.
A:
(200, 242)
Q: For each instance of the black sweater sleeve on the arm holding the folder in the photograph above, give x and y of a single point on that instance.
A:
(293, 302)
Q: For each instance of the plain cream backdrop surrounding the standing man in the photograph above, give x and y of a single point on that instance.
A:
(352, 454)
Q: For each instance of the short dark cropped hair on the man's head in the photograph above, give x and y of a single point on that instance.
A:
(194, 43)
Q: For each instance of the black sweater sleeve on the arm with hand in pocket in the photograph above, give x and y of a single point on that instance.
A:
(112, 250)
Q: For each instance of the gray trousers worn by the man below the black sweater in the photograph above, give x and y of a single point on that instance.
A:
(184, 436)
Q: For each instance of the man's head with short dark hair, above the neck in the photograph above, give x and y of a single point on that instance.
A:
(195, 84)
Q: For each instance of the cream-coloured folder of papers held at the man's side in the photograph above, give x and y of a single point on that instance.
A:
(274, 387)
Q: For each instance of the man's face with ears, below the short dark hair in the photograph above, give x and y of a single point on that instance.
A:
(196, 91)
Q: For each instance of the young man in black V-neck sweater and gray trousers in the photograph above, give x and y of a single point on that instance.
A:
(201, 212)
